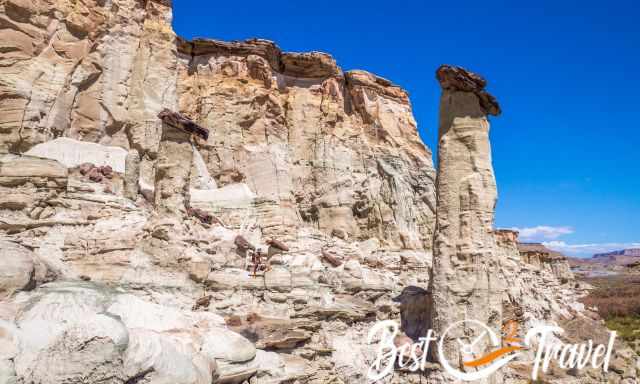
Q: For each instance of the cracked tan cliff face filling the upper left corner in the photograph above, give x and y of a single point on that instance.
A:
(93, 71)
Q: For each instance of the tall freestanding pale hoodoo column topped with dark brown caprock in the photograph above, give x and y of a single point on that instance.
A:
(464, 281)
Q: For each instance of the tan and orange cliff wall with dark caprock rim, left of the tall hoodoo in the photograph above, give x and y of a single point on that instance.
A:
(317, 147)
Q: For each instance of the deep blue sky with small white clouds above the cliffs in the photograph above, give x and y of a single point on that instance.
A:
(566, 149)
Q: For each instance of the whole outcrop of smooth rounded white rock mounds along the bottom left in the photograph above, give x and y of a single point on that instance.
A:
(78, 332)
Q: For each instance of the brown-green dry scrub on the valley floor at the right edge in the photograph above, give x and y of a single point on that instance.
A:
(618, 301)
